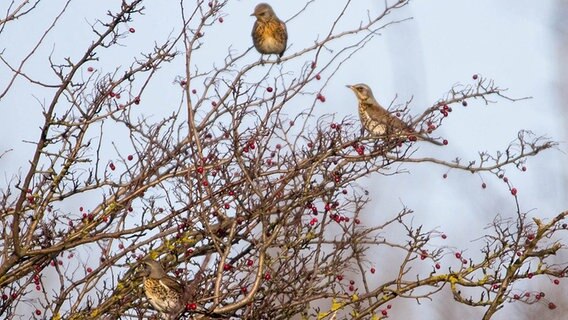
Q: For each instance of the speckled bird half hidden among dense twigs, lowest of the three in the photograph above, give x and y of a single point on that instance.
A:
(164, 292)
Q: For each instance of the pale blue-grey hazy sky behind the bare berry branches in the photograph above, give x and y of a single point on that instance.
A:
(515, 42)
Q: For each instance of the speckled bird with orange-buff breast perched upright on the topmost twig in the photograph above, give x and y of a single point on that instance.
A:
(269, 33)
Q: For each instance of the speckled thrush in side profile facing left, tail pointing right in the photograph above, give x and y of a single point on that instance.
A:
(378, 121)
